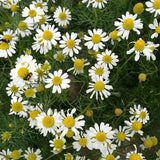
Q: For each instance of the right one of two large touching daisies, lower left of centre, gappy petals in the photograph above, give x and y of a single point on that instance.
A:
(69, 122)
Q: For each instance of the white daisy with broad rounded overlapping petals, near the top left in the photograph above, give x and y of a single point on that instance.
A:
(32, 13)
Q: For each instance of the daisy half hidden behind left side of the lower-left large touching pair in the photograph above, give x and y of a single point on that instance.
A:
(33, 113)
